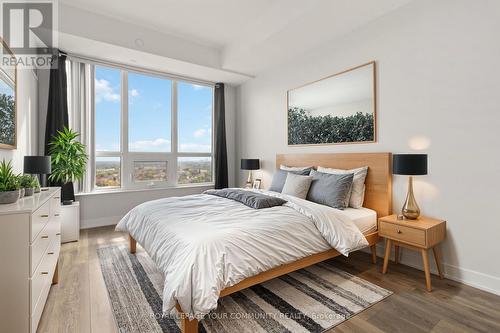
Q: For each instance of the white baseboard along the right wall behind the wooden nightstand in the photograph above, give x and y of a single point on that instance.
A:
(469, 277)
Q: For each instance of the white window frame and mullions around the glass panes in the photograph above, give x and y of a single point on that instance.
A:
(127, 157)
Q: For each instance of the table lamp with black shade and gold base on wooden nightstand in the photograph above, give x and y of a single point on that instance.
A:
(410, 165)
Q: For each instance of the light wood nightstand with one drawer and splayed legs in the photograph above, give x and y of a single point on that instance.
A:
(422, 234)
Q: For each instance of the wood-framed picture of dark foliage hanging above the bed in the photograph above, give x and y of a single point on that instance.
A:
(309, 103)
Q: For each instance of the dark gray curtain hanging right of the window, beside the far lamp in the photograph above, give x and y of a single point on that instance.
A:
(220, 154)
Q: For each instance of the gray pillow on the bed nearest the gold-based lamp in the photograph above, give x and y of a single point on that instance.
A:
(330, 189)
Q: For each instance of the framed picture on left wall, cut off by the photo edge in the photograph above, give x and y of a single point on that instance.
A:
(8, 80)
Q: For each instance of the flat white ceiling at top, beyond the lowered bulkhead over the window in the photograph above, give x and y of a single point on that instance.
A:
(248, 36)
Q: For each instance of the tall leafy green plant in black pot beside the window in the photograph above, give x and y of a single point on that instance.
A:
(69, 160)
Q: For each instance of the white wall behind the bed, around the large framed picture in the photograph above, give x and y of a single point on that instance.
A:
(438, 85)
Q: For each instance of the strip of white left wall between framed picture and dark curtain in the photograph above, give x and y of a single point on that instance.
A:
(27, 119)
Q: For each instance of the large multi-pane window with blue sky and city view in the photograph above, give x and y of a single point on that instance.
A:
(150, 130)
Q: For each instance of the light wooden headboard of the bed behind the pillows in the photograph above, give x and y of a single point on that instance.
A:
(378, 190)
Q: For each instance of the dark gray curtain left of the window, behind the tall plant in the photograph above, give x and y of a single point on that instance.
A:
(57, 106)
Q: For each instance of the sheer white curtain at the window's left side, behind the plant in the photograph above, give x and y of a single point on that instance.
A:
(80, 110)
